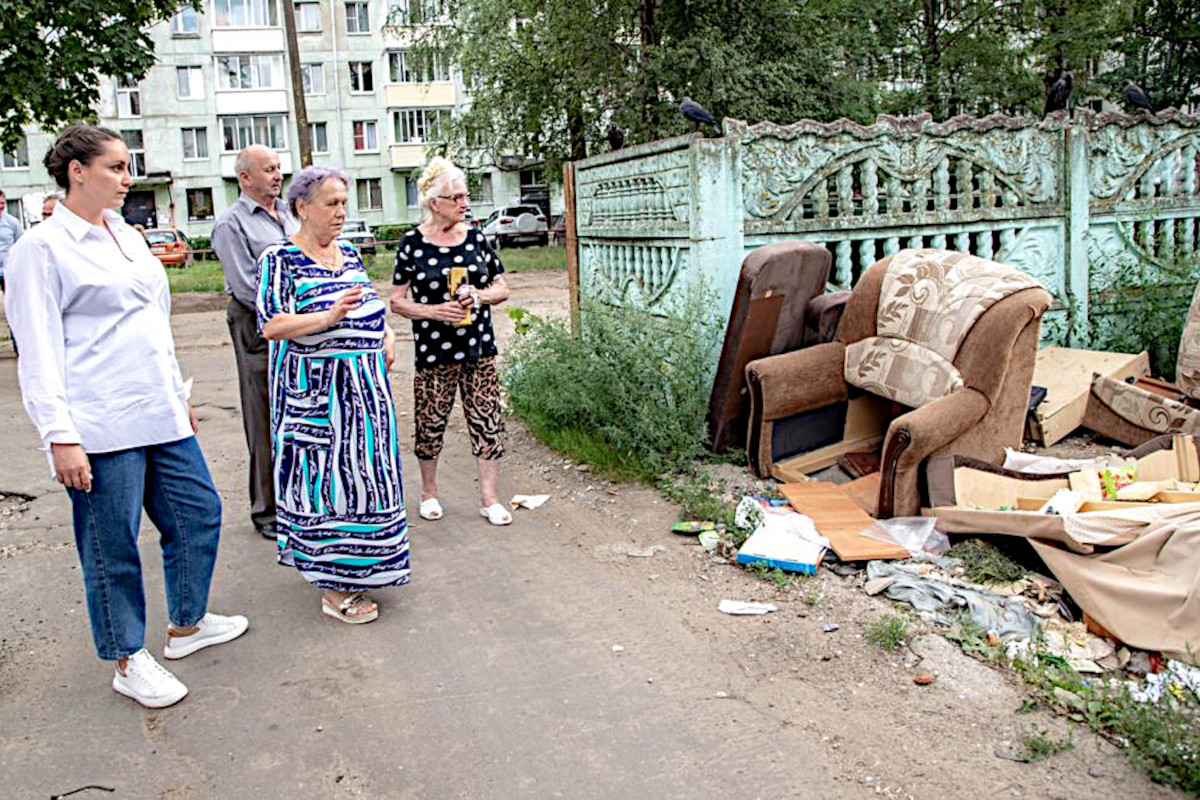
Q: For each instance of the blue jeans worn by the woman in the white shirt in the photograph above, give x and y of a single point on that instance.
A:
(172, 483)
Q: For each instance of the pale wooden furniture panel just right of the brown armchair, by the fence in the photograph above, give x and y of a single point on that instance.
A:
(1067, 377)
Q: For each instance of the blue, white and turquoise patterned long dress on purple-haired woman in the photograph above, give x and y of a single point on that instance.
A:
(338, 471)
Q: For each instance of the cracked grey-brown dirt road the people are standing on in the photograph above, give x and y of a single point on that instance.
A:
(494, 675)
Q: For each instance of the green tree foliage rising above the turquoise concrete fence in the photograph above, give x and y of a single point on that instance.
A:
(550, 76)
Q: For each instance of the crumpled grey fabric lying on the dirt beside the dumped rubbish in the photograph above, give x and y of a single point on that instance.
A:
(943, 603)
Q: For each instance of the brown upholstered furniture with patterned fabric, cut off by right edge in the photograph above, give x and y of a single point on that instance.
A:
(1133, 414)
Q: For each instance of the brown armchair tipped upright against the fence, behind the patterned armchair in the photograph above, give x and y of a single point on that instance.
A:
(778, 308)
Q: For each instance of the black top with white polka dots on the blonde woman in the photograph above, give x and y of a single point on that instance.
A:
(425, 268)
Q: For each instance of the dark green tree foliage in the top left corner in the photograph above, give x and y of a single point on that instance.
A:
(53, 56)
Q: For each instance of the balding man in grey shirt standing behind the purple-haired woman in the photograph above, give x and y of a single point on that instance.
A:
(257, 220)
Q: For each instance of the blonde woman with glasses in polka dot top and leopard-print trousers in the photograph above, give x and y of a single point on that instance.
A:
(453, 336)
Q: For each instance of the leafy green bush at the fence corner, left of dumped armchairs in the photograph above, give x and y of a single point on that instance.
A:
(628, 395)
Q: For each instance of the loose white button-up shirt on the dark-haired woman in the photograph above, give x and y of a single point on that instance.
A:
(91, 314)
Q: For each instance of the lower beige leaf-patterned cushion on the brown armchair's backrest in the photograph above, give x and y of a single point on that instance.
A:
(902, 371)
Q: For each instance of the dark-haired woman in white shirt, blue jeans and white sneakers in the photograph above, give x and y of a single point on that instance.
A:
(91, 306)
